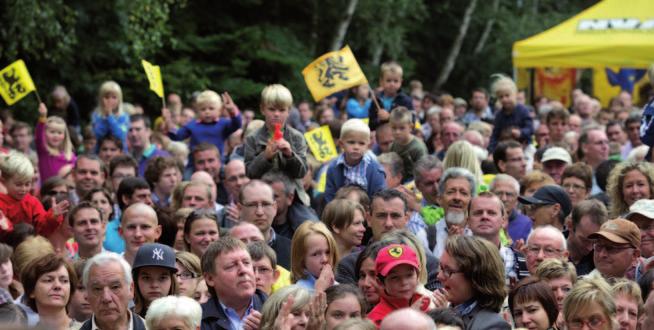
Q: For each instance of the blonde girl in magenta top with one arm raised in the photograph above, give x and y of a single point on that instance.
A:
(53, 145)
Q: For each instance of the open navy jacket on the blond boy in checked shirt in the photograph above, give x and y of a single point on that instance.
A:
(375, 176)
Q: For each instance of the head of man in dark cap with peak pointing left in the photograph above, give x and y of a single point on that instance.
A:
(549, 205)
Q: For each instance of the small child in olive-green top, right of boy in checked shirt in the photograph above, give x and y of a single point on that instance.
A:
(405, 144)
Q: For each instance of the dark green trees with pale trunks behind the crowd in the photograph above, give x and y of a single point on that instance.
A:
(242, 45)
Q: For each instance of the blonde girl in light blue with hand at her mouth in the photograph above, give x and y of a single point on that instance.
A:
(314, 254)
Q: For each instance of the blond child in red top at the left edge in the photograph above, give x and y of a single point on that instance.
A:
(18, 205)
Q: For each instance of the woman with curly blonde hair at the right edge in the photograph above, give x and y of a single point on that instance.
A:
(629, 182)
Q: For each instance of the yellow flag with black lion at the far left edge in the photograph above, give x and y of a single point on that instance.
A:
(15, 82)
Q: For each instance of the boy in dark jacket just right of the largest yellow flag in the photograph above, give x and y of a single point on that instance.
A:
(391, 95)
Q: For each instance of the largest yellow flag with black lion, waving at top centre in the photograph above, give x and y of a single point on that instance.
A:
(333, 72)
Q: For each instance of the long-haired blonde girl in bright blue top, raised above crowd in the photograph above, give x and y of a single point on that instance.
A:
(109, 118)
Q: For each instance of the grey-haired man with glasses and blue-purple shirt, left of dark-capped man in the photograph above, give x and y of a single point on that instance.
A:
(507, 189)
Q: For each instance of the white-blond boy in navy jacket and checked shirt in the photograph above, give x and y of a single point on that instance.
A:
(355, 166)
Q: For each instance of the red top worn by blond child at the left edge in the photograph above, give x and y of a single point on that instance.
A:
(29, 210)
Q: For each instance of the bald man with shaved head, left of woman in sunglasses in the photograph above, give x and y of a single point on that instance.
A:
(139, 225)
